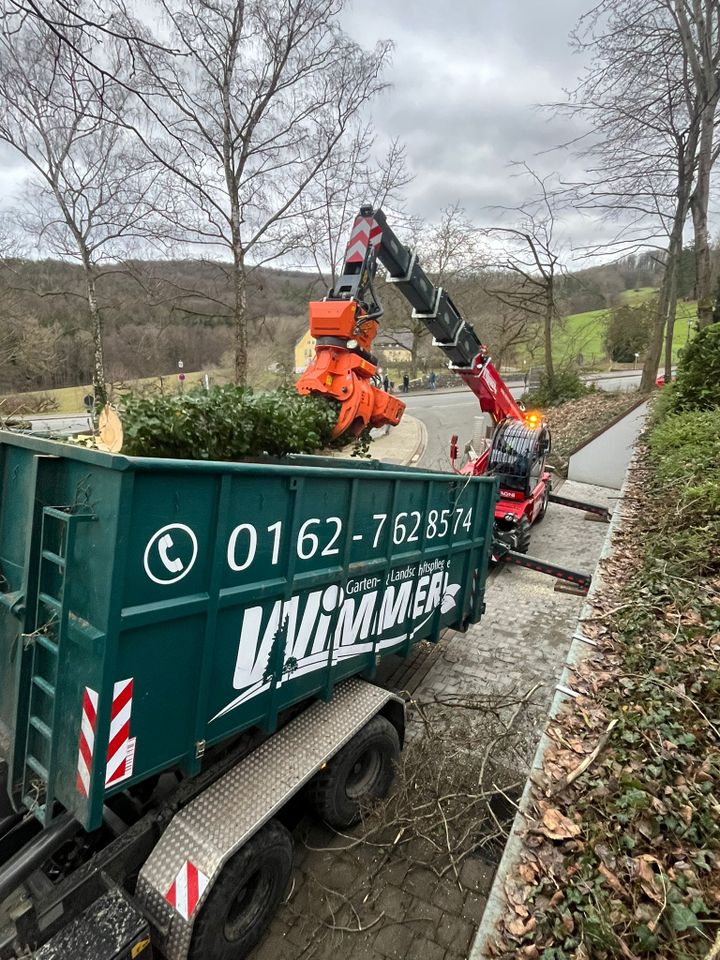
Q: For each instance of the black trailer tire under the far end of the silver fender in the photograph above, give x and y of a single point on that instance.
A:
(363, 770)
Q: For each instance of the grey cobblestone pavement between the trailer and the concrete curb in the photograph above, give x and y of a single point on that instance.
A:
(403, 911)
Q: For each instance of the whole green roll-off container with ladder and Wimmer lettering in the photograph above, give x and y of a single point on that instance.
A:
(151, 608)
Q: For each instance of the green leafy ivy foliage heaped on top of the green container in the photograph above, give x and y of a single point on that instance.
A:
(225, 423)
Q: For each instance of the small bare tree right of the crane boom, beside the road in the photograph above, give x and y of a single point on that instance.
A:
(527, 261)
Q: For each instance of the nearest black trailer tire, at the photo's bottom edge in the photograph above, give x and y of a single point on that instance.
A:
(245, 896)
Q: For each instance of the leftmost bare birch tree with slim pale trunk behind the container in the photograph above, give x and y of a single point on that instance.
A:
(87, 194)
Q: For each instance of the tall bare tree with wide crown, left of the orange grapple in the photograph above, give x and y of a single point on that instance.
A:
(243, 108)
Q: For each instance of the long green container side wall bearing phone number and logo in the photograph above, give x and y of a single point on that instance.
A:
(248, 590)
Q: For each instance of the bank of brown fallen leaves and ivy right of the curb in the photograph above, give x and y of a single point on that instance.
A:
(624, 861)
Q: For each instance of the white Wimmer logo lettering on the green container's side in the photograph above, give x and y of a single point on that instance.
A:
(346, 622)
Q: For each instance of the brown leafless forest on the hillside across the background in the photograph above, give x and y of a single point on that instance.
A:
(157, 313)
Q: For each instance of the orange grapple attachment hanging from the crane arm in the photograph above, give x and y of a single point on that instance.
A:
(345, 376)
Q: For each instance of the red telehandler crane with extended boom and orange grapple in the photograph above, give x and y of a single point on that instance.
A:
(344, 326)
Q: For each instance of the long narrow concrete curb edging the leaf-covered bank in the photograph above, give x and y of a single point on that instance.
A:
(497, 903)
